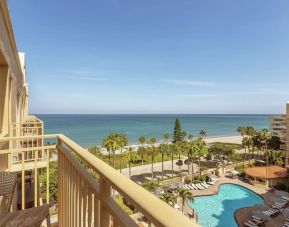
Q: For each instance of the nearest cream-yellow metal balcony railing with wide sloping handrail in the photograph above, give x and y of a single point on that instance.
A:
(86, 186)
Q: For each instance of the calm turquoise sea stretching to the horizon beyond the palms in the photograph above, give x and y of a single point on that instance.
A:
(91, 129)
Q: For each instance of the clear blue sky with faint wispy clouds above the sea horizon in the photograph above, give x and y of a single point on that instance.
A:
(155, 56)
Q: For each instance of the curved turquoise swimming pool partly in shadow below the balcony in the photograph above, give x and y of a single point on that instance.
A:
(219, 209)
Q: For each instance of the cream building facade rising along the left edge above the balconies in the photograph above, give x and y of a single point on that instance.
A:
(13, 86)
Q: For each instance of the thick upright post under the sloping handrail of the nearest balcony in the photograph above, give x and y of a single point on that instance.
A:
(104, 192)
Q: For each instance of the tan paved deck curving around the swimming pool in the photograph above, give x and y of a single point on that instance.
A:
(244, 214)
